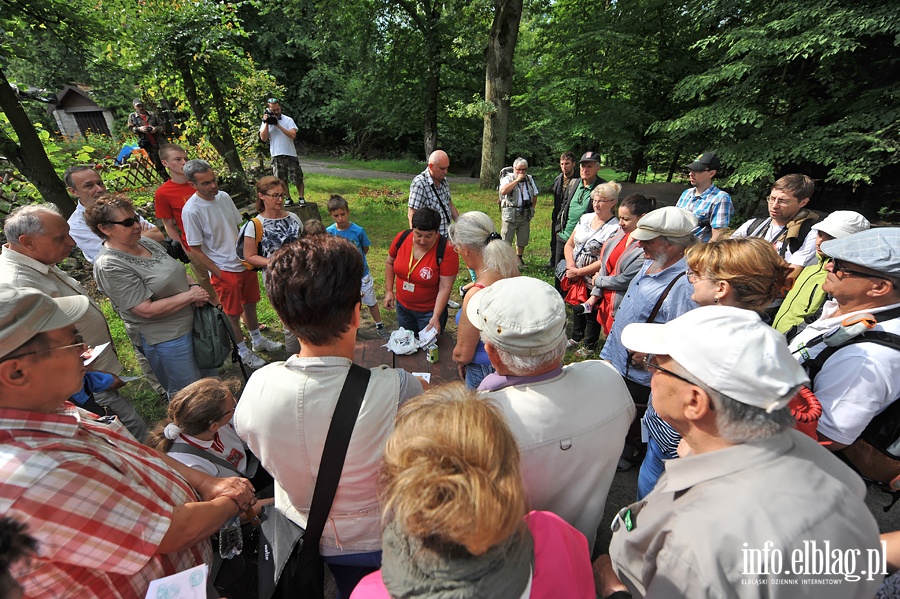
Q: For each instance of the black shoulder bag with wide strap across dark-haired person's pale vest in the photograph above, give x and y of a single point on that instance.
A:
(289, 562)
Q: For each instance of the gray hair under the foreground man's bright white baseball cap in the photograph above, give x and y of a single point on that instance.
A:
(739, 422)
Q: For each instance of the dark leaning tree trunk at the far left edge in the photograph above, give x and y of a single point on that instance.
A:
(28, 155)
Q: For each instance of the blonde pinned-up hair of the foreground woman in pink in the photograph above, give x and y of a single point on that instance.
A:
(451, 471)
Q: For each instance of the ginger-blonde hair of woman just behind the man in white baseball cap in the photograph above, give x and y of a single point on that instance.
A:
(752, 267)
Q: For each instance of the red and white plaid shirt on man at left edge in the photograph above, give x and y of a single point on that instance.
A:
(98, 503)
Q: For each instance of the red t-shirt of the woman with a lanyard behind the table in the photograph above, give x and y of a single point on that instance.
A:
(423, 274)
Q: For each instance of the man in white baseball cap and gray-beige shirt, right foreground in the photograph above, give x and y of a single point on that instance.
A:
(754, 508)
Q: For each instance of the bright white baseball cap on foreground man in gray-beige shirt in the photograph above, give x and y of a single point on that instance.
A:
(730, 350)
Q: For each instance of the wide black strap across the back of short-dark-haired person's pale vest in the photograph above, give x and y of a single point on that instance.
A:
(332, 463)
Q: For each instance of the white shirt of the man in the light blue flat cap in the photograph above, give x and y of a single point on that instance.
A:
(856, 383)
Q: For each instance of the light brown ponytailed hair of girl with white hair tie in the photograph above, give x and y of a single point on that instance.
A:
(194, 409)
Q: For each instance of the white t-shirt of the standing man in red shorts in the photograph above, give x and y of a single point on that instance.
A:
(213, 225)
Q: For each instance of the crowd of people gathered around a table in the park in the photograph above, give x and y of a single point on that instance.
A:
(493, 486)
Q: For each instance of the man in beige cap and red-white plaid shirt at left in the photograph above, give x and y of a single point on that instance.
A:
(110, 514)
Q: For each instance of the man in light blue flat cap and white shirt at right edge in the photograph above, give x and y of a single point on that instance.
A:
(858, 381)
